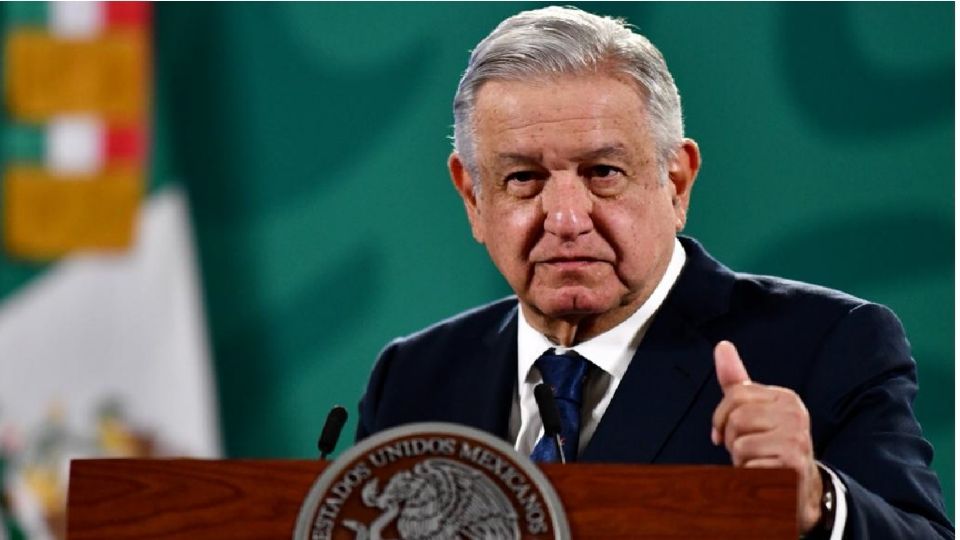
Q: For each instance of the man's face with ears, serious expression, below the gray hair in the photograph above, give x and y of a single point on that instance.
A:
(572, 207)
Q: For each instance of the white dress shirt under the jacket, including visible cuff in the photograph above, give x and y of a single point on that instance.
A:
(611, 352)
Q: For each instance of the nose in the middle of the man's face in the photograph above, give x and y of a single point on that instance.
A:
(567, 206)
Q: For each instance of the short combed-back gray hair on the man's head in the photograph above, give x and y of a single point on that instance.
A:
(565, 40)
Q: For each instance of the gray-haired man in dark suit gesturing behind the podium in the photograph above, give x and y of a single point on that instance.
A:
(574, 172)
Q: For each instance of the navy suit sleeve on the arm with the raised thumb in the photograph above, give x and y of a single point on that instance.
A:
(866, 431)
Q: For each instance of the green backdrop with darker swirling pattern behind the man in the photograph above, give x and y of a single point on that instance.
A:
(312, 140)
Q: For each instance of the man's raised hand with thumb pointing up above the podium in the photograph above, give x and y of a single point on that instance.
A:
(765, 427)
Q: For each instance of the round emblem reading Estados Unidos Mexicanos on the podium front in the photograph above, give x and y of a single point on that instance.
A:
(431, 480)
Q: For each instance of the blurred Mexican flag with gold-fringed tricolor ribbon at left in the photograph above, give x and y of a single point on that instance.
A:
(103, 347)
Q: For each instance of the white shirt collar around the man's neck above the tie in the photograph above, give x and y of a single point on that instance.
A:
(612, 350)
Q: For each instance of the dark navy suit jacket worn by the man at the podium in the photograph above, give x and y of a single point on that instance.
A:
(847, 359)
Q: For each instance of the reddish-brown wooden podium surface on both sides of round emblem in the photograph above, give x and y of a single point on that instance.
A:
(237, 499)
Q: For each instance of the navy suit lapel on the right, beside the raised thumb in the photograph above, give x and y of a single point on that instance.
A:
(669, 369)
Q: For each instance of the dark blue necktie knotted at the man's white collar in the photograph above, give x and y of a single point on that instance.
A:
(565, 374)
